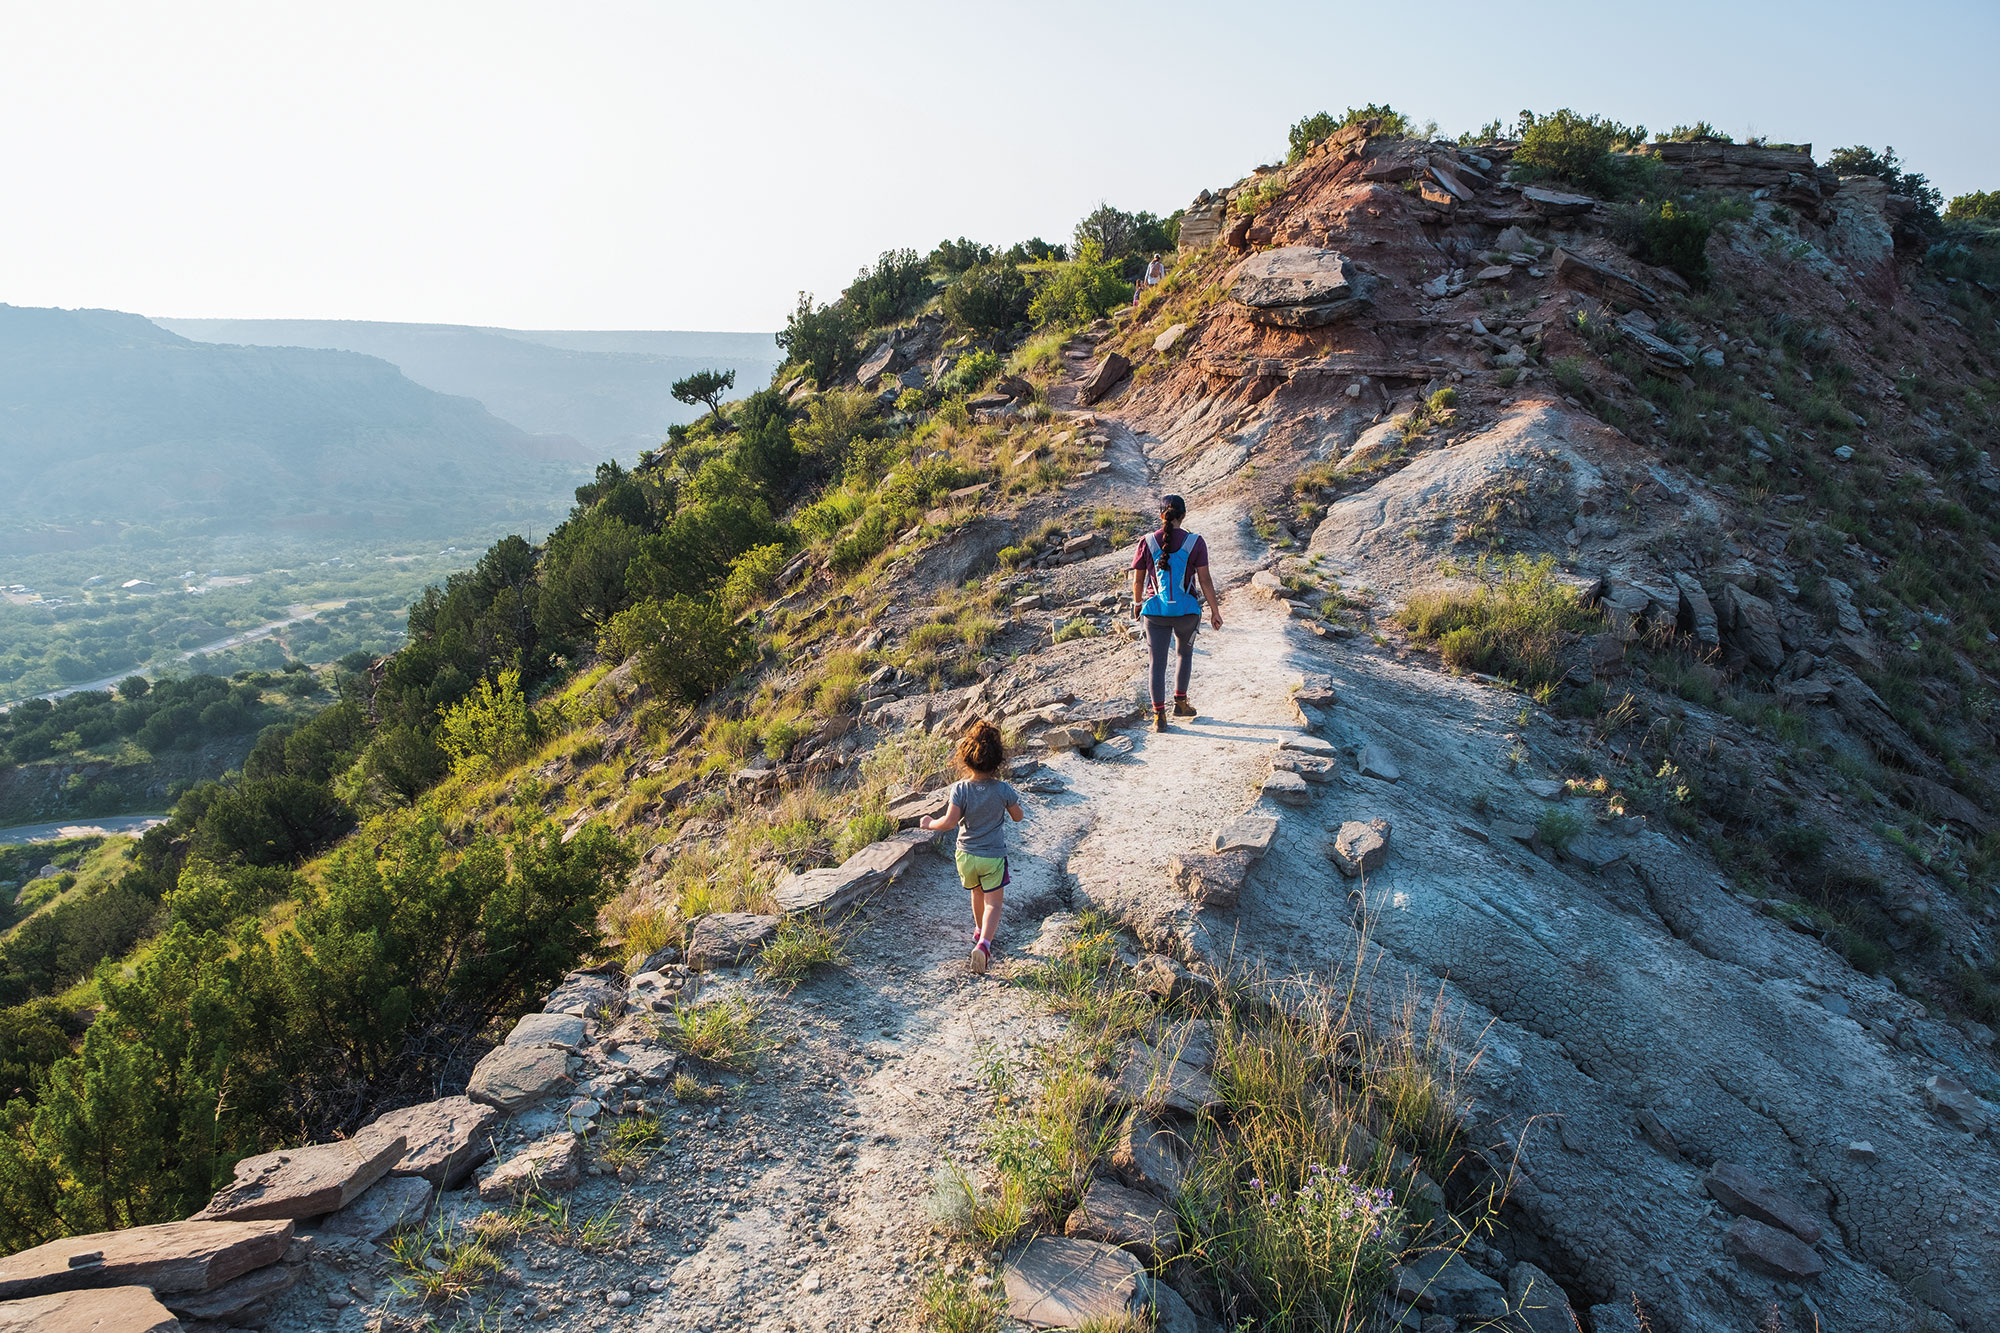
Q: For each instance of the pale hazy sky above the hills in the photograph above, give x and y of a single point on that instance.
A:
(619, 165)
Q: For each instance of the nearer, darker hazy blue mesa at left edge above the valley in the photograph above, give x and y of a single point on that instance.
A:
(113, 423)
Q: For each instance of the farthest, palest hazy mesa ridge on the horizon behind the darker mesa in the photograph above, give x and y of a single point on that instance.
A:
(605, 389)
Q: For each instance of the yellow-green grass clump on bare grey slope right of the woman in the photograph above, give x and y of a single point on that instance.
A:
(1511, 623)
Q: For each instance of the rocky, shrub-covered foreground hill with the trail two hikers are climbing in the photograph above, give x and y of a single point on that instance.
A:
(1569, 906)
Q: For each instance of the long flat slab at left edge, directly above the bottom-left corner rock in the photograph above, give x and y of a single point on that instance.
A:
(193, 1256)
